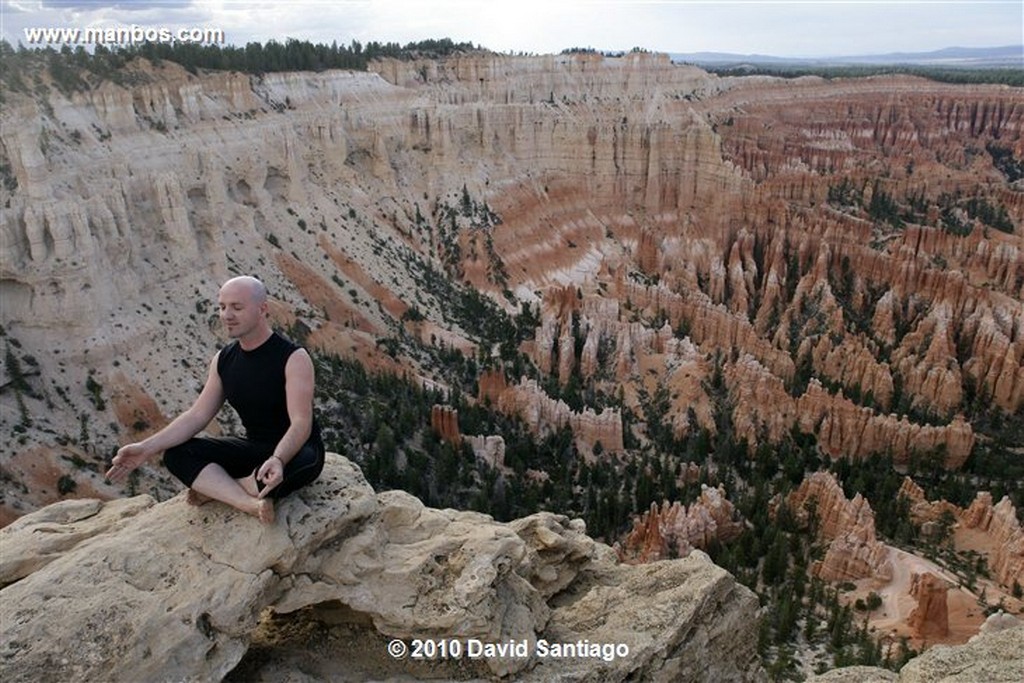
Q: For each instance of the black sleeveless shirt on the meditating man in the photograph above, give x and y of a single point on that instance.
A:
(254, 386)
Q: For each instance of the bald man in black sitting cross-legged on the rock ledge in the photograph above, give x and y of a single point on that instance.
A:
(270, 383)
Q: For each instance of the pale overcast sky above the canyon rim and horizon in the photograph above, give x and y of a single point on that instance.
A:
(794, 28)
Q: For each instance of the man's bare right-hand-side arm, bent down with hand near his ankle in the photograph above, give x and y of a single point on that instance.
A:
(300, 383)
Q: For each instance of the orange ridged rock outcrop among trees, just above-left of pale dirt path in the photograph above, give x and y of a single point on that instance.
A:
(854, 552)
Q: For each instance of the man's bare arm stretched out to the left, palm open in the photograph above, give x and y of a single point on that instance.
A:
(181, 431)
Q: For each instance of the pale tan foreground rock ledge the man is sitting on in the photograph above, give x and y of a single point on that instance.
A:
(84, 600)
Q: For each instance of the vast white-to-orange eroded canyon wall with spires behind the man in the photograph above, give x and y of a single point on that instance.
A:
(816, 239)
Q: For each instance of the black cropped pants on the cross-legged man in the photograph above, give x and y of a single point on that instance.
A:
(240, 458)
